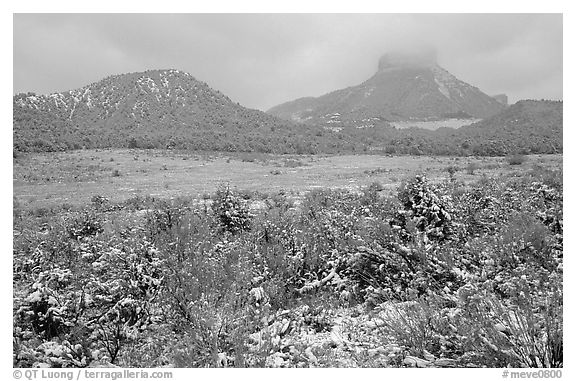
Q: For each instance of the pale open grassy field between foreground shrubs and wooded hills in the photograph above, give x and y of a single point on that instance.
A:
(45, 180)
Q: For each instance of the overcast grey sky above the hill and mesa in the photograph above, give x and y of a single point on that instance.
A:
(261, 60)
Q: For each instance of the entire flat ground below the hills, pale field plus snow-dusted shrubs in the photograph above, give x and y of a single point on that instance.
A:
(452, 269)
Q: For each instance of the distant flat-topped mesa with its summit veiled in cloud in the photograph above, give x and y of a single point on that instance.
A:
(405, 87)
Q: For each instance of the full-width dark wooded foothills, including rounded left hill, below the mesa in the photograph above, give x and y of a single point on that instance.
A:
(171, 109)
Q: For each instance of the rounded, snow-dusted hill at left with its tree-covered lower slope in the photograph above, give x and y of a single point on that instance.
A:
(155, 109)
